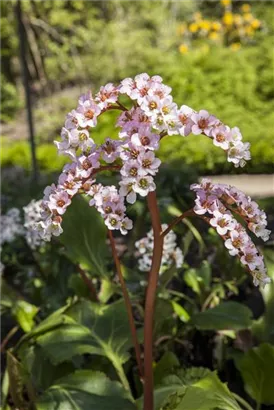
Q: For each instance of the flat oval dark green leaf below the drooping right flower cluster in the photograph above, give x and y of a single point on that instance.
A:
(225, 316)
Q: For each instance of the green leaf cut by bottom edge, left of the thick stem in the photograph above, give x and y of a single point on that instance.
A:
(85, 390)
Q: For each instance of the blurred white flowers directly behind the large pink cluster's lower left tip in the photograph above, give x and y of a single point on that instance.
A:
(32, 215)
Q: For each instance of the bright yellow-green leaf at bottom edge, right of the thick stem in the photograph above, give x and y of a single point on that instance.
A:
(208, 393)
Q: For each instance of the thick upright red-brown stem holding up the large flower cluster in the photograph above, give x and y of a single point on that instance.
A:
(150, 299)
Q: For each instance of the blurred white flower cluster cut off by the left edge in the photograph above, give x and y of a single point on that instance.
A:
(10, 226)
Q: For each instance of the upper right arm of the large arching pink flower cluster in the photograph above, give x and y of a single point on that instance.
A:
(156, 103)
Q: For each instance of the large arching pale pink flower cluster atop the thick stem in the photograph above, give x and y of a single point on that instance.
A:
(152, 116)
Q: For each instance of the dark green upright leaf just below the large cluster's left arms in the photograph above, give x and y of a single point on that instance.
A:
(84, 236)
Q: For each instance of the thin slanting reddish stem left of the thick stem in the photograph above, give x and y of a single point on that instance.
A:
(128, 305)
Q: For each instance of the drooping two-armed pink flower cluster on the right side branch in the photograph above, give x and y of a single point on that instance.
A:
(218, 203)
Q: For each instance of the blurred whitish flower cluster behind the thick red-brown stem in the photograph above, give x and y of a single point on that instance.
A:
(172, 254)
